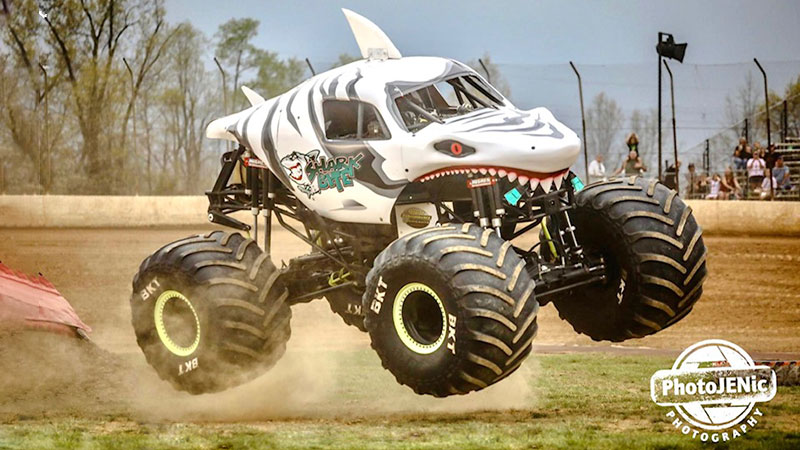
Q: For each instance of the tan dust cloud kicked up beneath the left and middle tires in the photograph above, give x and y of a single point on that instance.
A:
(328, 371)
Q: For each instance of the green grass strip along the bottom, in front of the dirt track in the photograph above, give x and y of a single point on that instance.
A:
(573, 401)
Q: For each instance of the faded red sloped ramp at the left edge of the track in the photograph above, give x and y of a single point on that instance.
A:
(33, 302)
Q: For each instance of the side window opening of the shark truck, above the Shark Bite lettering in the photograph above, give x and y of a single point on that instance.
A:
(350, 120)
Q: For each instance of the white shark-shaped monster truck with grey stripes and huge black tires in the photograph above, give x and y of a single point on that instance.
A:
(420, 190)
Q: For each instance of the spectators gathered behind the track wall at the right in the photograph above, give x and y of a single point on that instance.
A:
(750, 163)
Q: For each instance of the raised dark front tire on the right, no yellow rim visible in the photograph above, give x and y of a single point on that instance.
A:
(654, 254)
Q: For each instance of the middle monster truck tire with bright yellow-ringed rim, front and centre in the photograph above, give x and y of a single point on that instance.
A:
(450, 309)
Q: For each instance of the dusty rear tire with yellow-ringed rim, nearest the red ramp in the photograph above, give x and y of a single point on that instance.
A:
(208, 313)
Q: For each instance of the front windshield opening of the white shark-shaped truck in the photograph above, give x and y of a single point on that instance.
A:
(445, 99)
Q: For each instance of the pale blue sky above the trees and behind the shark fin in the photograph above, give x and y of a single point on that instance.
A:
(612, 42)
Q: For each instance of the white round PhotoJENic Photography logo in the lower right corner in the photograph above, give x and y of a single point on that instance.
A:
(713, 386)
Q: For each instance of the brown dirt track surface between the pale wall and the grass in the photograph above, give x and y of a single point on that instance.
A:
(751, 298)
